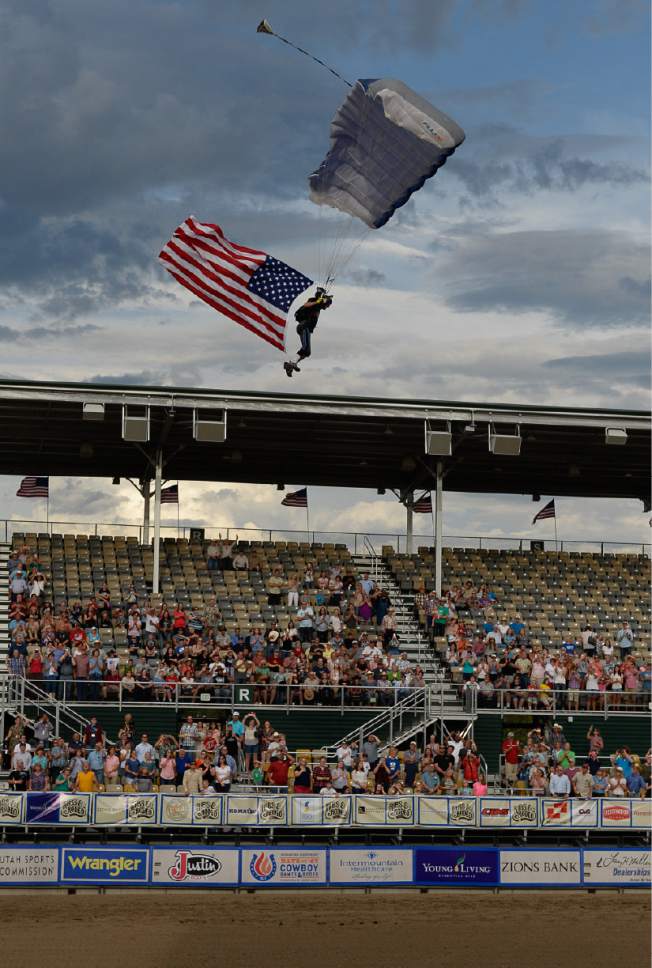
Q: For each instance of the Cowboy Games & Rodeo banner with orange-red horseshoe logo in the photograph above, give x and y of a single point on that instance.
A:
(279, 867)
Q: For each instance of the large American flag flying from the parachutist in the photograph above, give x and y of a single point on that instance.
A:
(247, 285)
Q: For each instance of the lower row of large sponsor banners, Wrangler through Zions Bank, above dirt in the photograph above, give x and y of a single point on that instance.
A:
(266, 866)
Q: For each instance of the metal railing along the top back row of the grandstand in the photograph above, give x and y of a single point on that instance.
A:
(351, 539)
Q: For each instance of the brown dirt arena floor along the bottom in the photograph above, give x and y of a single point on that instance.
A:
(279, 928)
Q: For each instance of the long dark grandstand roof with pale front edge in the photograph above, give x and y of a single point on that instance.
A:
(322, 440)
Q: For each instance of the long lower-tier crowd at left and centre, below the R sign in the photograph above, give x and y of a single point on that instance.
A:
(209, 757)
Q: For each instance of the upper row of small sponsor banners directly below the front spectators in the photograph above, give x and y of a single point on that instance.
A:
(283, 810)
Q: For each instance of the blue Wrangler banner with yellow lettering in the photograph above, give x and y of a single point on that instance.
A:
(105, 865)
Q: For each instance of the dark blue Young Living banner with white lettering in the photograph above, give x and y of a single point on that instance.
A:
(456, 866)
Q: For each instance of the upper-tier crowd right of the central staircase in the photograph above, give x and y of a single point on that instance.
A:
(495, 659)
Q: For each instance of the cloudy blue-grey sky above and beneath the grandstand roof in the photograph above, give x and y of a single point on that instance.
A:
(520, 274)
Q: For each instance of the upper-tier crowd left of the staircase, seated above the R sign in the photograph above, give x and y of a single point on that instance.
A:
(341, 631)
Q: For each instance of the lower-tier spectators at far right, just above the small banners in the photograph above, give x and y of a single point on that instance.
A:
(546, 764)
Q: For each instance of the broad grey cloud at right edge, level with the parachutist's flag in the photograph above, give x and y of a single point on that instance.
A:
(579, 278)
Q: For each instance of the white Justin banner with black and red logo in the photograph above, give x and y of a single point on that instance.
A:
(195, 866)
